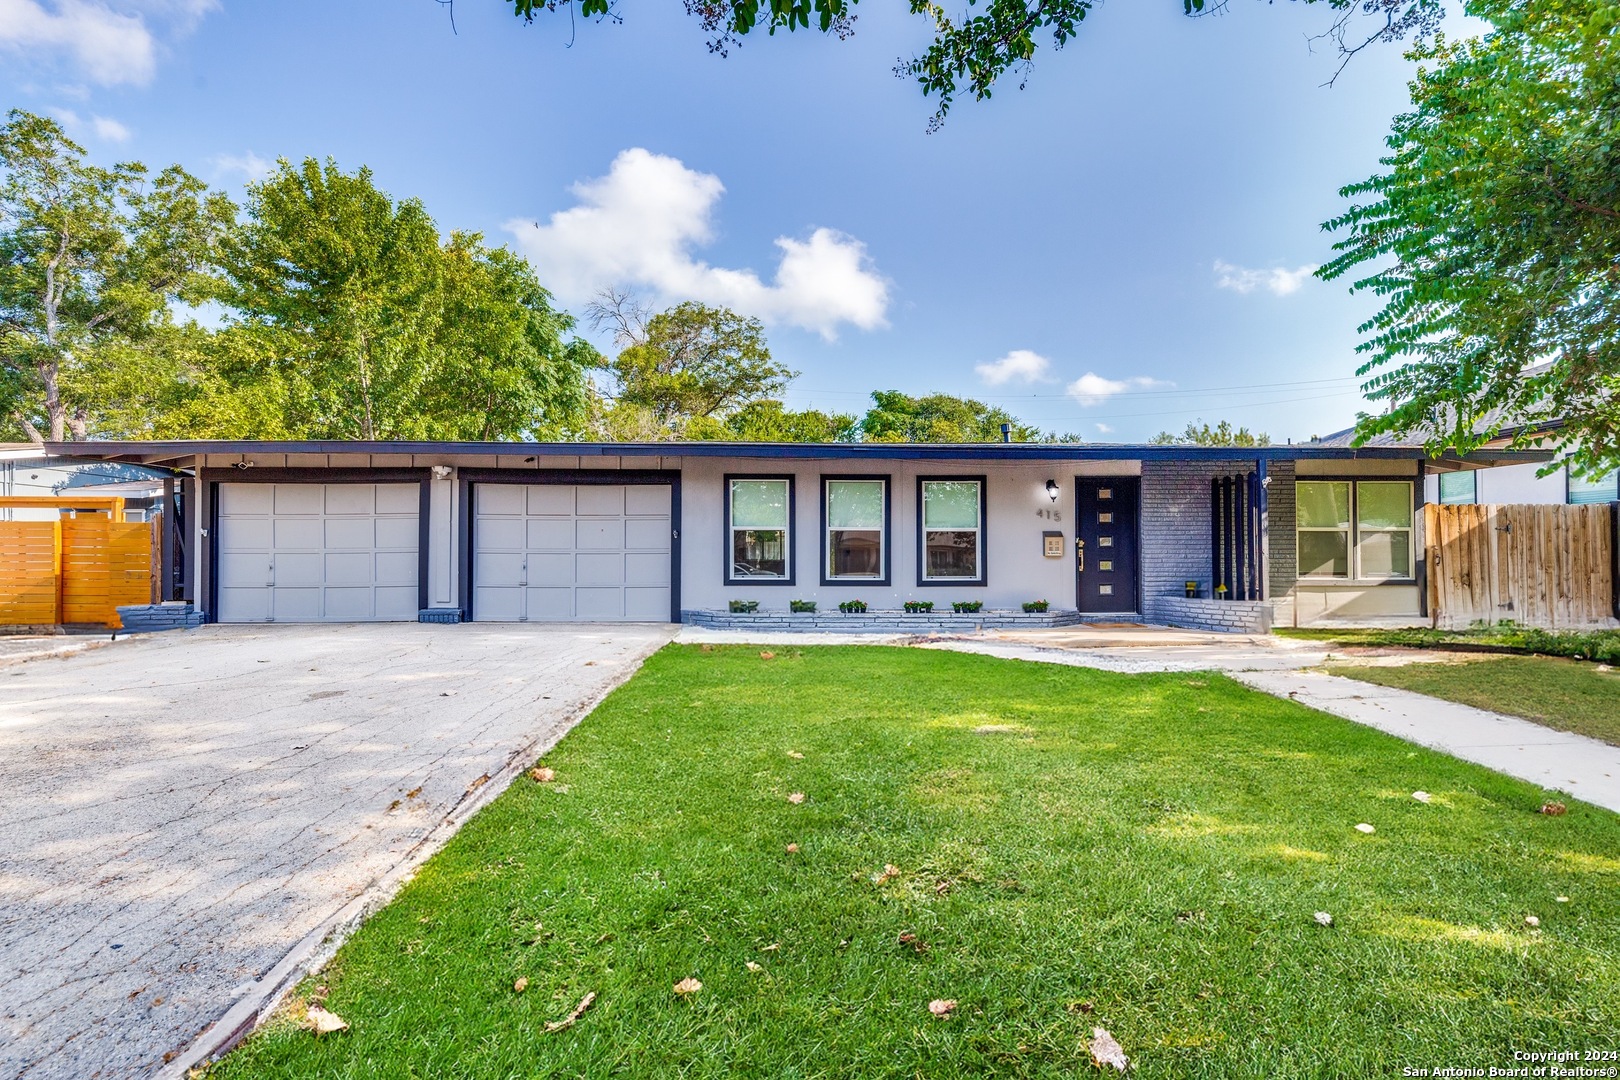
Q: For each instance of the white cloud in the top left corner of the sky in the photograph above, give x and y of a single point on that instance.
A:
(109, 43)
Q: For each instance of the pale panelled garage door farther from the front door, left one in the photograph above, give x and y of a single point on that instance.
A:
(318, 553)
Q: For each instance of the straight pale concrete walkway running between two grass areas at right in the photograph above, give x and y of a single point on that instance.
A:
(1585, 768)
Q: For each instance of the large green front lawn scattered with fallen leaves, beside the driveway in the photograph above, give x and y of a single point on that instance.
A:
(1075, 849)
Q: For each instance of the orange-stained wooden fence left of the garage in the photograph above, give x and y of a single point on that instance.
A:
(75, 569)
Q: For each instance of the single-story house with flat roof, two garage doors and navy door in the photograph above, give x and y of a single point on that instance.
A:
(448, 532)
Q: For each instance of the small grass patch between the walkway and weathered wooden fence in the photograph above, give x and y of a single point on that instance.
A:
(1567, 695)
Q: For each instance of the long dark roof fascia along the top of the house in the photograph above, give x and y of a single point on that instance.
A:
(151, 453)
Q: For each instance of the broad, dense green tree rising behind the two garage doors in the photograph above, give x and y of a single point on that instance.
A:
(357, 323)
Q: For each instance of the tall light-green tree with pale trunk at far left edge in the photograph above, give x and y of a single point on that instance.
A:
(90, 263)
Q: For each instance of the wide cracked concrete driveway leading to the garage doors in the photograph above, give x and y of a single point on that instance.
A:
(185, 815)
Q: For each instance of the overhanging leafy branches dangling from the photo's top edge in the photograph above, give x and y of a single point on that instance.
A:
(974, 51)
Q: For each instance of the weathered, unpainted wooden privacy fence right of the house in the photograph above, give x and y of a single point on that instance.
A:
(1538, 566)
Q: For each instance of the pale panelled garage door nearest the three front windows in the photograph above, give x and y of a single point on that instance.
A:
(552, 553)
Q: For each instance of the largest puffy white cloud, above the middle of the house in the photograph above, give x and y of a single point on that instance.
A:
(639, 226)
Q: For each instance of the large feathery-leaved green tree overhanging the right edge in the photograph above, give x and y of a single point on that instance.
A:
(1493, 239)
